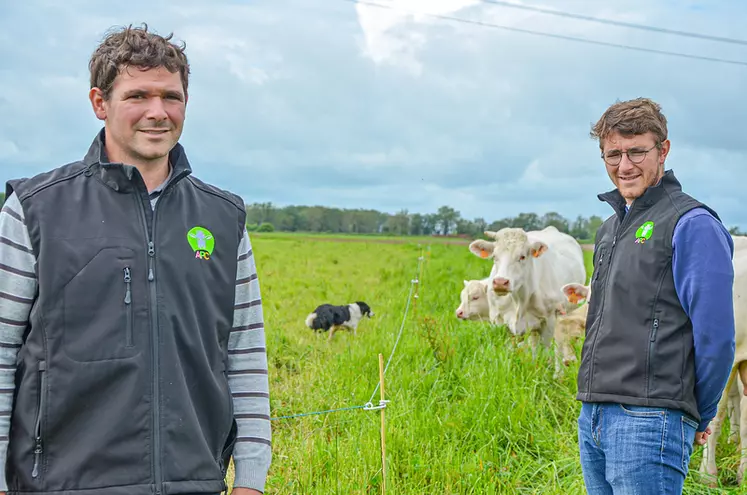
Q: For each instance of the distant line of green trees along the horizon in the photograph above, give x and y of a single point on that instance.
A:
(446, 221)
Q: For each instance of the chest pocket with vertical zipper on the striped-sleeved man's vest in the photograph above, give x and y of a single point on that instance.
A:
(100, 304)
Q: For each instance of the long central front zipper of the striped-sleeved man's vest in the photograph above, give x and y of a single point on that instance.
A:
(150, 238)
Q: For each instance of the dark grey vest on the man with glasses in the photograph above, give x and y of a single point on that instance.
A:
(639, 345)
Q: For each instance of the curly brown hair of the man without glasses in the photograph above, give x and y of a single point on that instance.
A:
(139, 48)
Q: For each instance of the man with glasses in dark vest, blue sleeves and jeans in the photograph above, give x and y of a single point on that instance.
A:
(659, 339)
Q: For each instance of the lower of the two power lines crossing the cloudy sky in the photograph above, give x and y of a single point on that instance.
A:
(549, 35)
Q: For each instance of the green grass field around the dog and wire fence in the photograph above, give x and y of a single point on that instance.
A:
(470, 413)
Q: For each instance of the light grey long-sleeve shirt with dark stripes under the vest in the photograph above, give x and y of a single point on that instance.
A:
(246, 345)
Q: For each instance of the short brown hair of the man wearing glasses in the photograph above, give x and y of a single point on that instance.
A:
(630, 118)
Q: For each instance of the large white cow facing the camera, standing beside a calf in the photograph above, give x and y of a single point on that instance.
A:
(529, 267)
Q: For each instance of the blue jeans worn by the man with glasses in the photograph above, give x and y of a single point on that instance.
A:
(634, 450)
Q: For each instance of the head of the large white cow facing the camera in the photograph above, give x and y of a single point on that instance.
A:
(513, 255)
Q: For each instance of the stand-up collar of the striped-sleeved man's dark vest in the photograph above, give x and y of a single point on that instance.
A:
(124, 178)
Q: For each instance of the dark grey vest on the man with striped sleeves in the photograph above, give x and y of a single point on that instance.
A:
(121, 384)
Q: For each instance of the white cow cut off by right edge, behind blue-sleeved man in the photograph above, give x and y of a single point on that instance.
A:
(738, 376)
